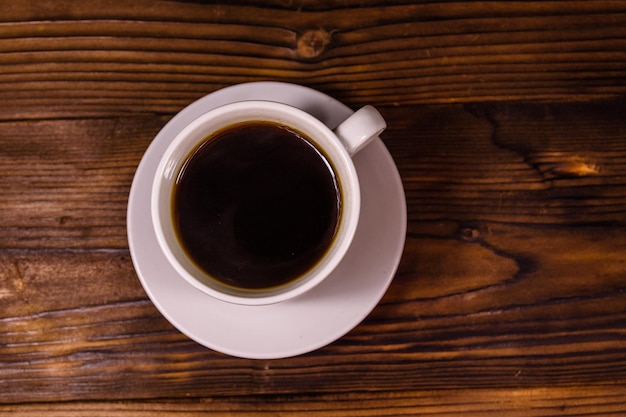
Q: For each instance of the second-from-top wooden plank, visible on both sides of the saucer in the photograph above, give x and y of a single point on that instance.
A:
(66, 182)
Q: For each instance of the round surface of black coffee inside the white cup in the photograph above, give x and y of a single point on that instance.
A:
(256, 205)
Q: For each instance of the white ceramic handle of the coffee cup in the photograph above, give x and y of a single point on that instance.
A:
(359, 129)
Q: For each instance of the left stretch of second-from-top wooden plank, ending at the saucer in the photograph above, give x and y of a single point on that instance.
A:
(66, 182)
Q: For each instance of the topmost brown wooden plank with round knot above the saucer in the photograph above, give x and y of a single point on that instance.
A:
(111, 58)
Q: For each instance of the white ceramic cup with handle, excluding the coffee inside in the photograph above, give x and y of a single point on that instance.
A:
(338, 145)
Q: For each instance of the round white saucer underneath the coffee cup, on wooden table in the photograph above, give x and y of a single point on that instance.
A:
(312, 320)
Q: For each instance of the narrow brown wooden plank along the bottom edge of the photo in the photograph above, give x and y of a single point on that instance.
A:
(540, 402)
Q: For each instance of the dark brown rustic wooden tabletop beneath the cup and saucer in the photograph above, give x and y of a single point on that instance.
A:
(507, 121)
